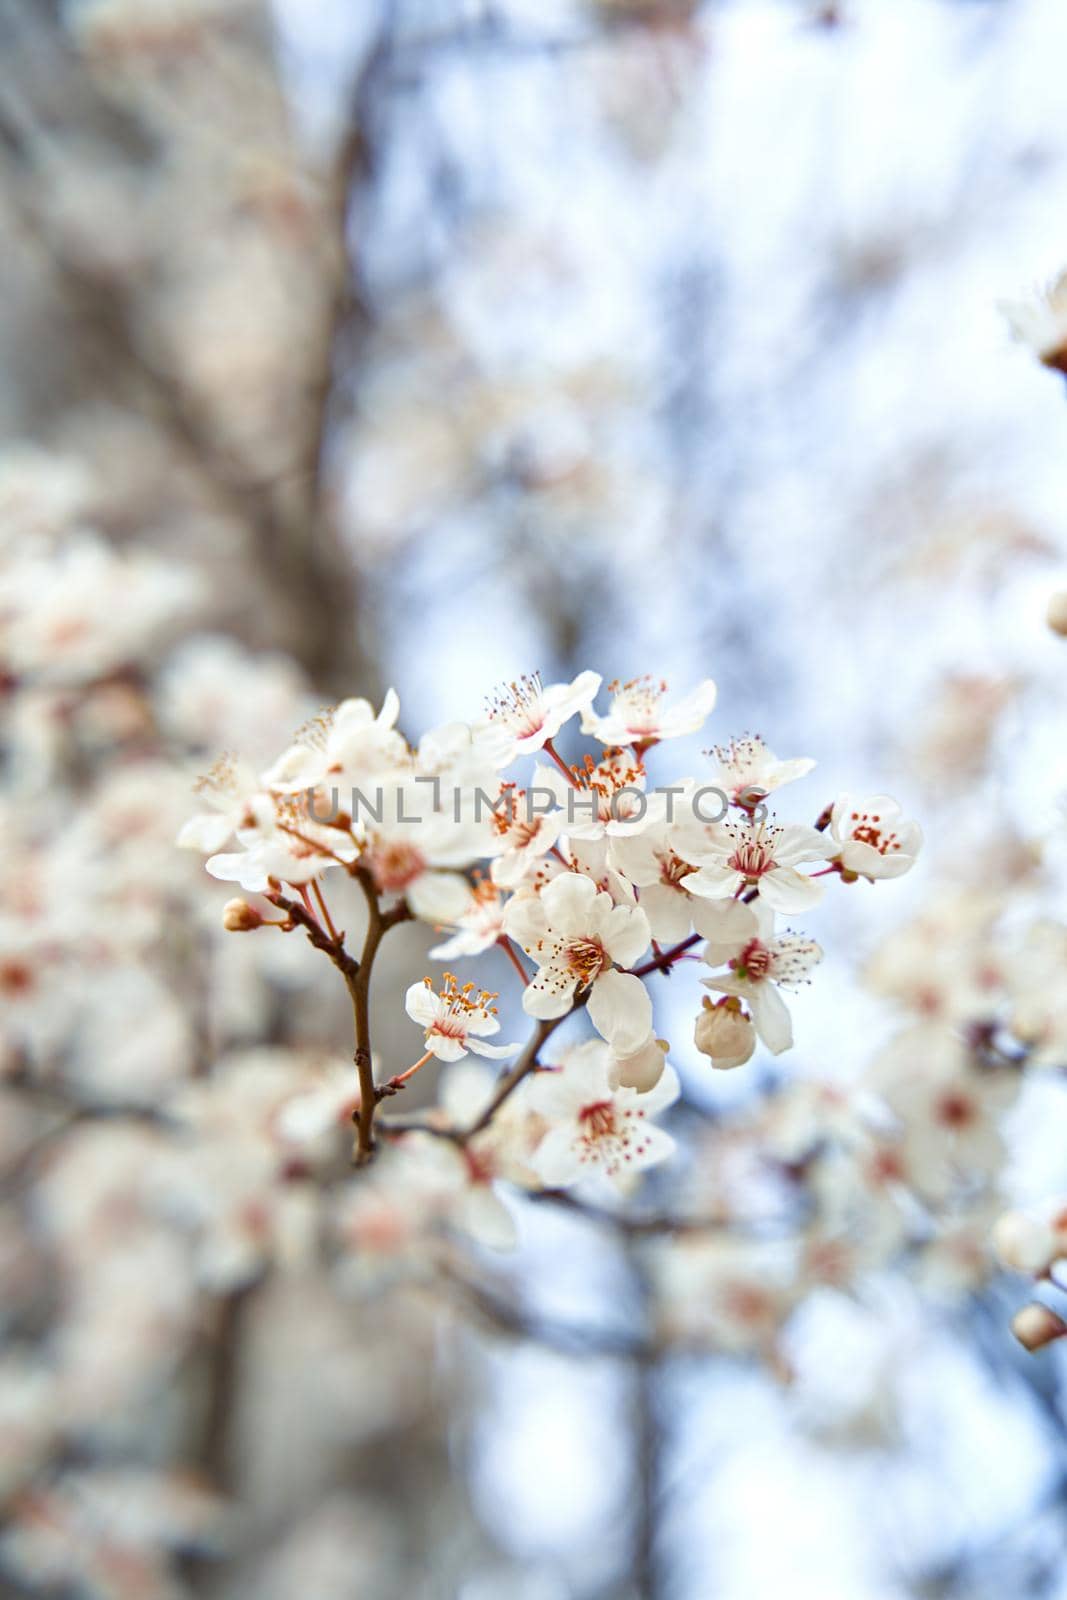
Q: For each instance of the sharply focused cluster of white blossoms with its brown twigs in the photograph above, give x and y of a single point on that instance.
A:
(591, 879)
